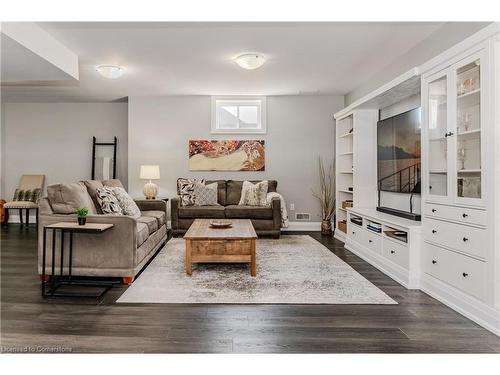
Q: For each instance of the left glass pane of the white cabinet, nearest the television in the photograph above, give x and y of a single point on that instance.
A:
(437, 137)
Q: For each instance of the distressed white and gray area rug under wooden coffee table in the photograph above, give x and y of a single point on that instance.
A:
(293, 269)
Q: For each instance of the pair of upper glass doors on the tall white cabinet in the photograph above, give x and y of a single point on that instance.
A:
(452, 121)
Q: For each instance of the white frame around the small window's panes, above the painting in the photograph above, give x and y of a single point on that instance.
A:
(239, 101)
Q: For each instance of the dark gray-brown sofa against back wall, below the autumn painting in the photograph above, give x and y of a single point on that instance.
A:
(265, 220)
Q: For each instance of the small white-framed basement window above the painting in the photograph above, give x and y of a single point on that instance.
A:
(239, 115)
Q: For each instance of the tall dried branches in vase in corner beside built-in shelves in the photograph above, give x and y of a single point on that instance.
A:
(326, 195)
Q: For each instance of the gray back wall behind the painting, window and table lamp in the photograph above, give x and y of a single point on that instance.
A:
(300, 128)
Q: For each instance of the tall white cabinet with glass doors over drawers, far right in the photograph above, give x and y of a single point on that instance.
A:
(460, 183)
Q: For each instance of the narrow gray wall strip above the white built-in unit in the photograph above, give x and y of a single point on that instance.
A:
(439, 41)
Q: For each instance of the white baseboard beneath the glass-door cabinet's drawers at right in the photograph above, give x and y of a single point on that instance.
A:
(475, 310)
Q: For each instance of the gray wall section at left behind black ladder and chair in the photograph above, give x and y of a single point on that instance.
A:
(55, 139)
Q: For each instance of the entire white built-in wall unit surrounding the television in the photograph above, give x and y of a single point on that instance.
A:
(454, 255)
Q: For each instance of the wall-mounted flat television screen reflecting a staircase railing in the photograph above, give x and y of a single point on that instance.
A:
(398, 149)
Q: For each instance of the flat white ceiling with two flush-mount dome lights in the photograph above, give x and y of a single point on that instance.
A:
(196, 58)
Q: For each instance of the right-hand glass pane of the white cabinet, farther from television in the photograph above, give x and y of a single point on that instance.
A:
(468, 123)
